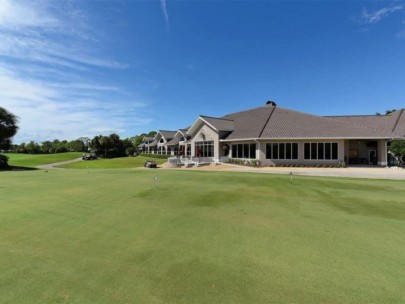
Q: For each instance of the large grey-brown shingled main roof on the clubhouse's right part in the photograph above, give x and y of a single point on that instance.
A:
(272, 122)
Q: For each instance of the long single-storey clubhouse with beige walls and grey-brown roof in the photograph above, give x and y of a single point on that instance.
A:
(273, 135)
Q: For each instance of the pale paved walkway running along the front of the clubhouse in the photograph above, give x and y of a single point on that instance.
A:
(353, 172)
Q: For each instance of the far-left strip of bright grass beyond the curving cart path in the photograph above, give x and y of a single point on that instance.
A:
(32, 160)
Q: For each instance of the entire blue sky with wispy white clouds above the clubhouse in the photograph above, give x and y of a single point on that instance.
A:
(83, 68)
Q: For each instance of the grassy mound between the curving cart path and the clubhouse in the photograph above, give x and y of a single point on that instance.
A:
(115, 163)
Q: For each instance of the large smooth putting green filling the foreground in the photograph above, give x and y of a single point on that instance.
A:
(113, 236)
